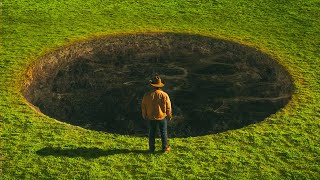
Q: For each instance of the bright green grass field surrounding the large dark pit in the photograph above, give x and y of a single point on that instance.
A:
(284, 146)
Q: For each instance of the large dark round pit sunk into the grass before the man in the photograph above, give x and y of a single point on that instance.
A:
(214, 85)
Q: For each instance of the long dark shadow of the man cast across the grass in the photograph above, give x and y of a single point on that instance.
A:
(86, 152)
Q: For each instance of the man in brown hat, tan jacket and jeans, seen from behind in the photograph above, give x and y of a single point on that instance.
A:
(156, 107)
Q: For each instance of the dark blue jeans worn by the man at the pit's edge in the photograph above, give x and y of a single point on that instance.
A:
(153, 125)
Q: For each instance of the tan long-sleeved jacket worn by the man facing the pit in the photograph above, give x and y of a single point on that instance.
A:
(156, 105)
